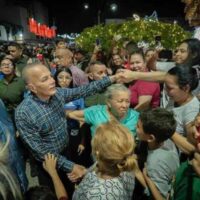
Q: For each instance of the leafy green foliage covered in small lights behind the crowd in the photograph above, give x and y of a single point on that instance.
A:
(138, 31)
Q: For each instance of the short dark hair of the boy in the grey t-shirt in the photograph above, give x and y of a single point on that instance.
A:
(158, 122)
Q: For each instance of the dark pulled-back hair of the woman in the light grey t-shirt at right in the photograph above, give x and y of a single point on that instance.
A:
(186, 75)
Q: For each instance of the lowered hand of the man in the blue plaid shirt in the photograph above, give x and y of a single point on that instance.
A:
(77, 173)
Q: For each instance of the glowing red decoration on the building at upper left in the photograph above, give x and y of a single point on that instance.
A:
(41, 30)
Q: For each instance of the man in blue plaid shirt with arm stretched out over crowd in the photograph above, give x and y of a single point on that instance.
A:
(41, 121)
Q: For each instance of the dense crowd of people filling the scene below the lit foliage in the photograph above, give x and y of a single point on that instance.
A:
(123, 124)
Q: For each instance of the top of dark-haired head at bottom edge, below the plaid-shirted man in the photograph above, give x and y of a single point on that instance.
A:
(39, 193)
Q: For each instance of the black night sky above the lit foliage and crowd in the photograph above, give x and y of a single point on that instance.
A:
(69, 16)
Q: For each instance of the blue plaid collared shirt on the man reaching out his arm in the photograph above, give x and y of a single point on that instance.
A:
(43, 125)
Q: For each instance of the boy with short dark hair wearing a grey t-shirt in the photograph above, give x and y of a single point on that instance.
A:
(156, 127)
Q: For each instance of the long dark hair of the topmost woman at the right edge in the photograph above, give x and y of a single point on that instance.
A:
(194, 51)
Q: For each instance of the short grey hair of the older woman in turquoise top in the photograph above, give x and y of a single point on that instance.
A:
(115, 88)
